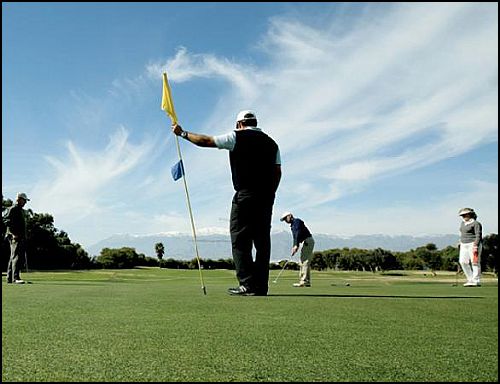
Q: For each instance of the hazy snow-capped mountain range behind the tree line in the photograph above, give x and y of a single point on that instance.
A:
(180, 246)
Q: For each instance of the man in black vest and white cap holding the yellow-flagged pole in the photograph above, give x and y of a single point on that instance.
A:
(256, 172)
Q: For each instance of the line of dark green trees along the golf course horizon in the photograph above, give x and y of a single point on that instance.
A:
(49, 248)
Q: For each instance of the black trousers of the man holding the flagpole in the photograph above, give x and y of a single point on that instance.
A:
(250, 225)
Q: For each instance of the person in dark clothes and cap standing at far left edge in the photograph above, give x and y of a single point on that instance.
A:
(15, 222)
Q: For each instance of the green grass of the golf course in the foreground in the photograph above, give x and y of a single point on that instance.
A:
(156, 325)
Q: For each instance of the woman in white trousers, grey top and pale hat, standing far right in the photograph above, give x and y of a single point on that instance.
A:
(471, 246)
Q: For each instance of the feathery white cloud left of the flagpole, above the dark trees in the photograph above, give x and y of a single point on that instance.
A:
(83, 180)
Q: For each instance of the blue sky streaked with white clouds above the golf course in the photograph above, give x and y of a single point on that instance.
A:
(386, 114)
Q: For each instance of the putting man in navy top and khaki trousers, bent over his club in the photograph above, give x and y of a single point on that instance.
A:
(303, 240)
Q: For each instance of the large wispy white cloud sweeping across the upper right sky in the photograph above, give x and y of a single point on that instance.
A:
(352, 103)
